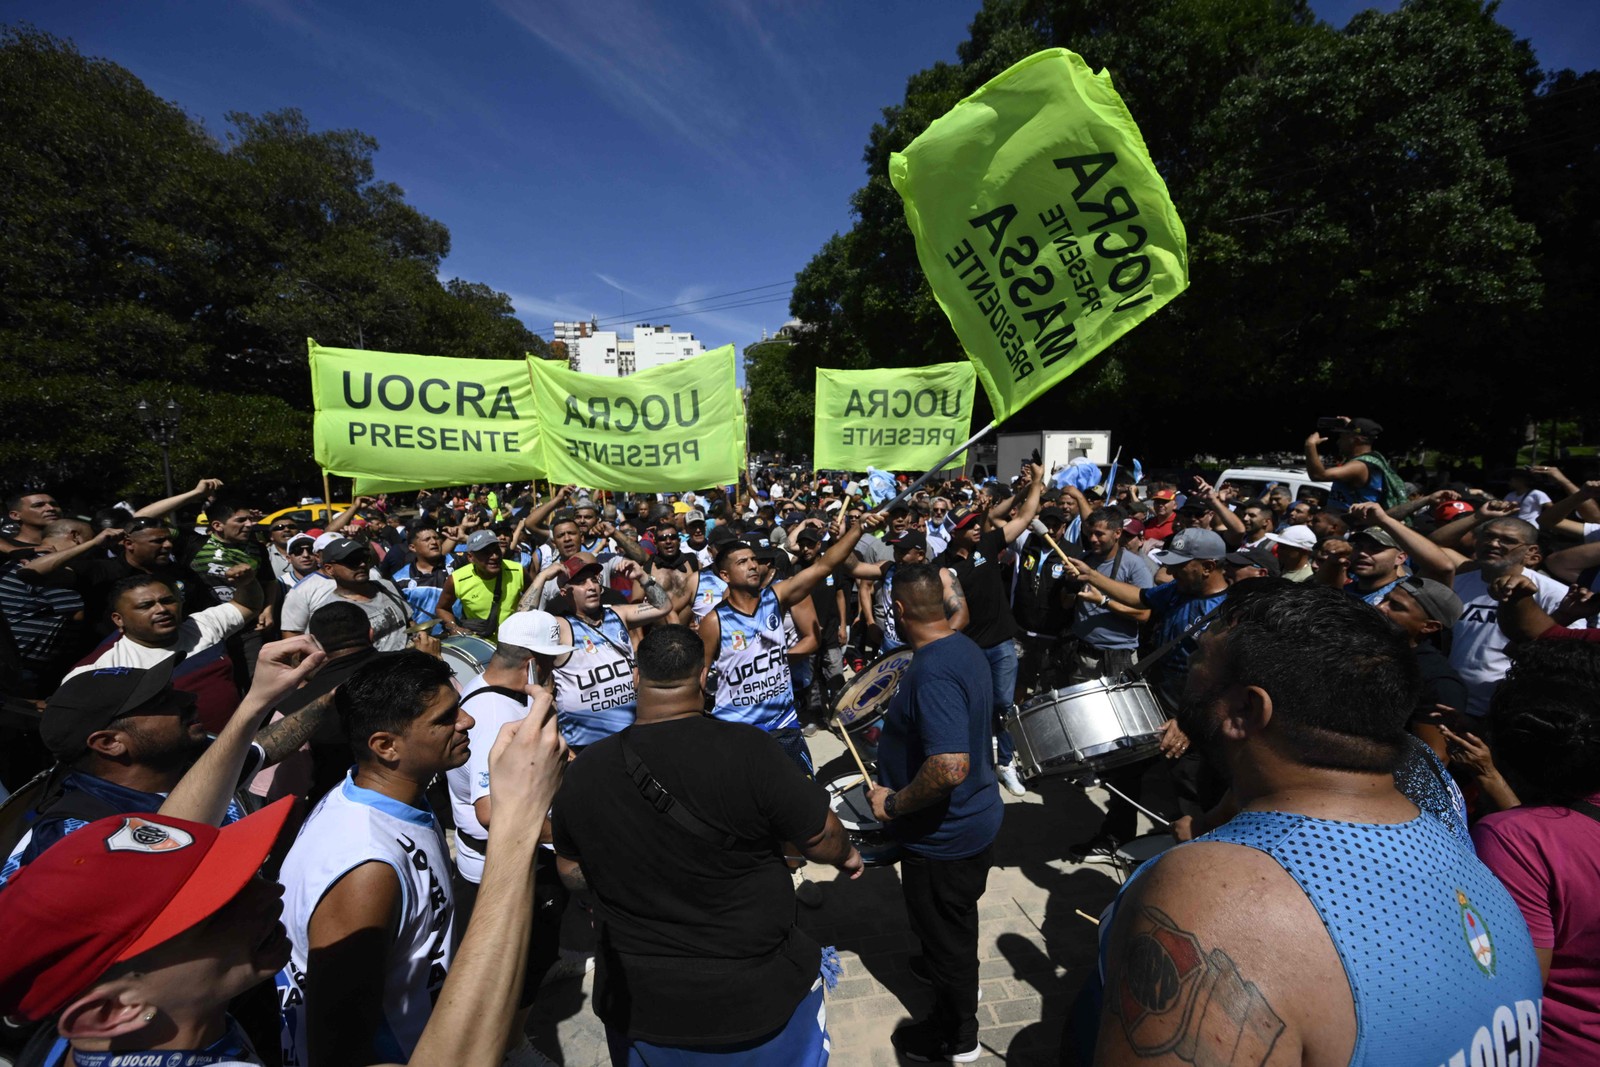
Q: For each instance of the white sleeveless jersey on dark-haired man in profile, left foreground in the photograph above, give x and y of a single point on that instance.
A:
(350, 828)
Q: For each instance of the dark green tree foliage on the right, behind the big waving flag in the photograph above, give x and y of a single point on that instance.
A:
(1375, 220)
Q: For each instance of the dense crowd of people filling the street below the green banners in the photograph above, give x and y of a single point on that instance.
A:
(1378, 743)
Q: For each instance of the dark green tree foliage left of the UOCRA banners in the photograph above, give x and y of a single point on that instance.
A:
(143, 257)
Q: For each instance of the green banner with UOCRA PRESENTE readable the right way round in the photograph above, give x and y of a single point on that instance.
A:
(423, 420)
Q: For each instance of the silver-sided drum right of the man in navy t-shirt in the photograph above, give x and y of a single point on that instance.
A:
(1090, 727)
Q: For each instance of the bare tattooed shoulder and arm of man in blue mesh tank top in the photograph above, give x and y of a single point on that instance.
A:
(1217, 959)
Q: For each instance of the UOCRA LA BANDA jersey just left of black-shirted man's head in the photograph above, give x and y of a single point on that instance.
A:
(594, 689)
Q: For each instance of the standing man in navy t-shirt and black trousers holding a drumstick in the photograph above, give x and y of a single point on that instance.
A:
(942, 801)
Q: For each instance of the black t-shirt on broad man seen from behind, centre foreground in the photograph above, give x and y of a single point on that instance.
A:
(698, 943)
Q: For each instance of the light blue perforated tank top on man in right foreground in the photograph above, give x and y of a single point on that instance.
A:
(1438, 956)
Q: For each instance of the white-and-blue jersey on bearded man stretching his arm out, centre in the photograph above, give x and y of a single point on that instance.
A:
(753, 668)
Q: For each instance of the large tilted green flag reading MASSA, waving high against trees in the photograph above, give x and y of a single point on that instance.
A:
(1041, 225)
